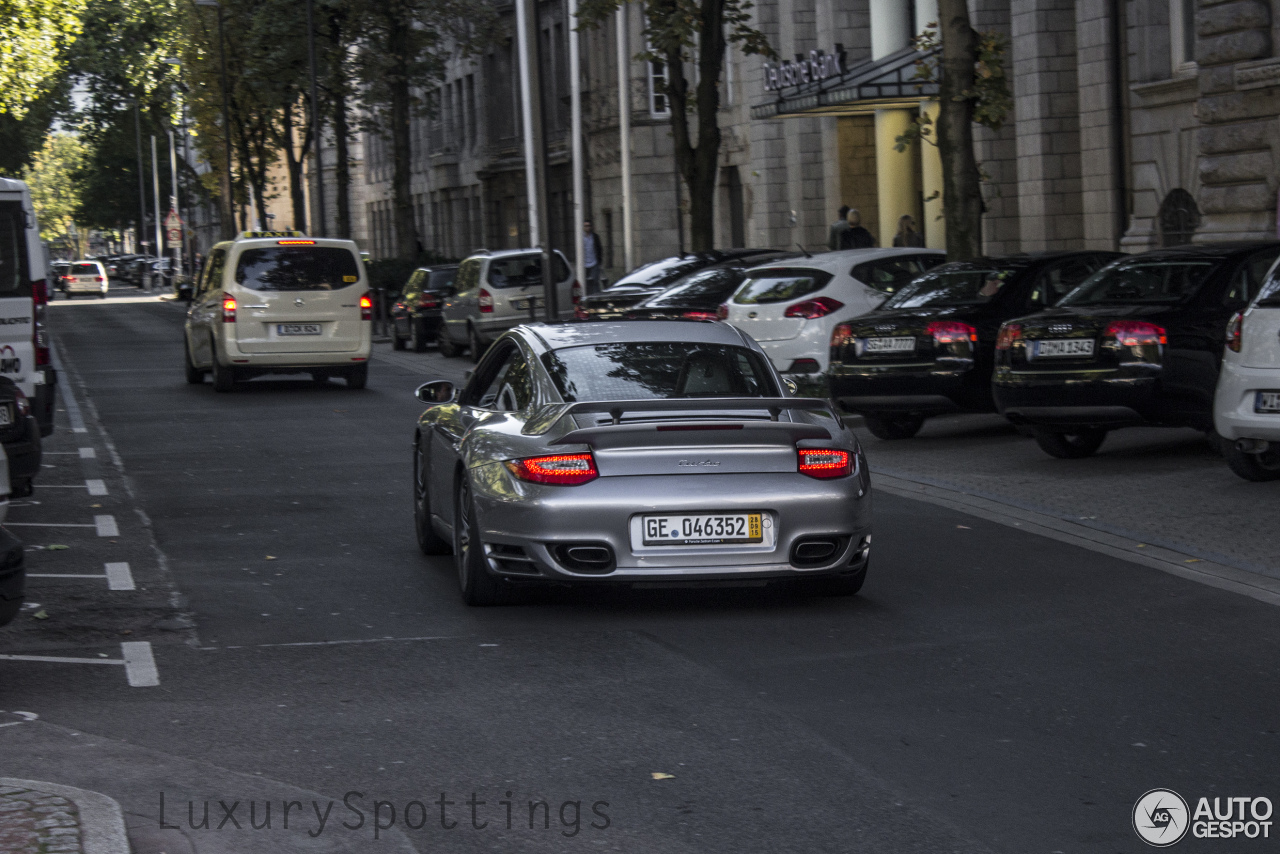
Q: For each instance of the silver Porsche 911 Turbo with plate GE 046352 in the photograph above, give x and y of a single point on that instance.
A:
(636, 453)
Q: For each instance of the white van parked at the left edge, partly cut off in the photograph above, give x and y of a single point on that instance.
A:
(25, 357)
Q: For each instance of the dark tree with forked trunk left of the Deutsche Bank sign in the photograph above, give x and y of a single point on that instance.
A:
(693, 35)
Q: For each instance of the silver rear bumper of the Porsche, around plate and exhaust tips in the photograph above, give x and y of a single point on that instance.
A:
(798, 509)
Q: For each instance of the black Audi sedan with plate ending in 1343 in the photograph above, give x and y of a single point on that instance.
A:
(1140, 342)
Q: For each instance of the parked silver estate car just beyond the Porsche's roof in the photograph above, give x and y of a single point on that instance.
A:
(497, 291)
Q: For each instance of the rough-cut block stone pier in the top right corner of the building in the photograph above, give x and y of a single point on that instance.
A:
(1238, 108)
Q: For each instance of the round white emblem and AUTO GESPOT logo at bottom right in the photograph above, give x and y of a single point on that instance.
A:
(1162, 819)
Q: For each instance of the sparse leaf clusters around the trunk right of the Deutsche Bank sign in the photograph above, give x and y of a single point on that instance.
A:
(991, 97)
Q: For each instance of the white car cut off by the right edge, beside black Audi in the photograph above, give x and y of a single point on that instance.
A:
(1247, 400)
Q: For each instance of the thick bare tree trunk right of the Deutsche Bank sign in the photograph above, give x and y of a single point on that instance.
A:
(962, 182)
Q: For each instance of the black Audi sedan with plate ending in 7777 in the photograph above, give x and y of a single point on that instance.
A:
(930, 349)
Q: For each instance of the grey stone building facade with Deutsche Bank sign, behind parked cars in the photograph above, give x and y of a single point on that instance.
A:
(1135, 125)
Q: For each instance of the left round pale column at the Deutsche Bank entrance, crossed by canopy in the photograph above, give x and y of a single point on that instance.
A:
(897, 185)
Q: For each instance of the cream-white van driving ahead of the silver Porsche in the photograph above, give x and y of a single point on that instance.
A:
(278, 303)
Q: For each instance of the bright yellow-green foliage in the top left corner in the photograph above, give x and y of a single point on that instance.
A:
(34, 40)
